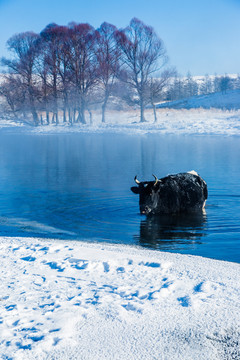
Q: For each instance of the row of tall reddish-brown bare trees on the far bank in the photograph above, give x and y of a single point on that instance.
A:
(64, 71)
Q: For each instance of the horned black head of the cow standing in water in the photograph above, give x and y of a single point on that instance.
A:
(148, 195)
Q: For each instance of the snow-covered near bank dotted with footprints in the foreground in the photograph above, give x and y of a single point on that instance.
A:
(75, 300)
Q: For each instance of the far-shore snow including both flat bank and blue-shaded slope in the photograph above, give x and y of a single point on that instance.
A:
(213, 114)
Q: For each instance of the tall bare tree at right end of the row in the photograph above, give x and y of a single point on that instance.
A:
(143, 54)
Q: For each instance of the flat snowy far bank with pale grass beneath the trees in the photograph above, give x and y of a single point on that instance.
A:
(170, 121)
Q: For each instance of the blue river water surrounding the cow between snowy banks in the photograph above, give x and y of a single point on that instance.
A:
(77, 186)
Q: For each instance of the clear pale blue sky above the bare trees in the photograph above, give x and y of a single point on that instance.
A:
(201, 36)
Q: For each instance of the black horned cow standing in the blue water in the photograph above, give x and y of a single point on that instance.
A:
(173, 194)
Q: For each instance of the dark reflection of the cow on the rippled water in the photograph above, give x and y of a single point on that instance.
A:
(169, 231)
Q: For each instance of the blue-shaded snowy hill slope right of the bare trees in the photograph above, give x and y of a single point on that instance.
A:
(229, 101)
